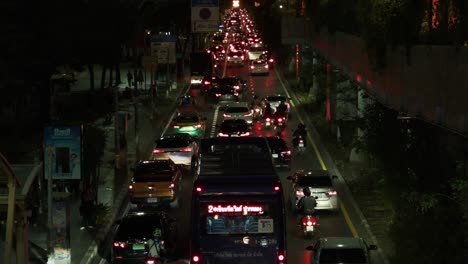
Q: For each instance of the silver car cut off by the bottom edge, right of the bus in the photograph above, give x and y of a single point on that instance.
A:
(336, 250)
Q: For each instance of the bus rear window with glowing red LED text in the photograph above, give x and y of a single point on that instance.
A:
(237, 218)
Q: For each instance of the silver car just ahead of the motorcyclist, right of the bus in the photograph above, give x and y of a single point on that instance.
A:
(321, 185)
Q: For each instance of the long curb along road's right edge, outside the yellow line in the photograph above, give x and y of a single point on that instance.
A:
(333, 167)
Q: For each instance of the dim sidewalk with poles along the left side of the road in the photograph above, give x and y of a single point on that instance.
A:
(111, 191)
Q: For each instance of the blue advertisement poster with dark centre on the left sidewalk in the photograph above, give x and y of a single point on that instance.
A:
(62, 152)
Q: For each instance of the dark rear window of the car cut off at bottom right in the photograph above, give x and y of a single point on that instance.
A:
(342, 256)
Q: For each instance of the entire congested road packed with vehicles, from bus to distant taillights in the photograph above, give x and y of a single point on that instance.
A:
(230, 119)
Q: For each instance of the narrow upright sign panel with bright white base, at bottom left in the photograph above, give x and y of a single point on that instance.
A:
(61, 231)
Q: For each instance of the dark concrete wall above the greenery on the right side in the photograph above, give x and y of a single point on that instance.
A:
(434, 85)
